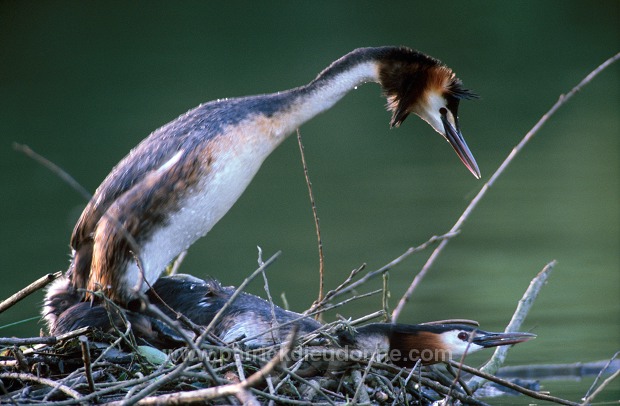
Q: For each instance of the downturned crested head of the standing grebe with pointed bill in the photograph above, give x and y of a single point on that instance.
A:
(419, 84)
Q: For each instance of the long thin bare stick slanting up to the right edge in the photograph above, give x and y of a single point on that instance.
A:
(472, 205)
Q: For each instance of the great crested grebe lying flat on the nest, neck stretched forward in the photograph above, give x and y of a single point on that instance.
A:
(251, 318)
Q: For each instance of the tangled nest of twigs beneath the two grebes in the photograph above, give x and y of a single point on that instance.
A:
(87, 366)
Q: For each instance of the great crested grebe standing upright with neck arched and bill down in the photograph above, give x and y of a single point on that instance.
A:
(178, 182)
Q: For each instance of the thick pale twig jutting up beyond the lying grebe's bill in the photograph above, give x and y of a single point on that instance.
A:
(523, 308)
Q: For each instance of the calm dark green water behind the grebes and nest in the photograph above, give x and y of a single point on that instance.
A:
(82, 83)
